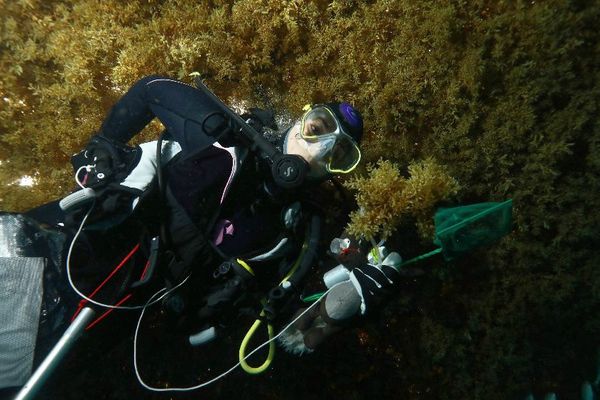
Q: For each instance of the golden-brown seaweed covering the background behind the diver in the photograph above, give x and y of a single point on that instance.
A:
(503, 94)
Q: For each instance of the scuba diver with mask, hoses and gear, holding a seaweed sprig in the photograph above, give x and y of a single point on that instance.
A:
(223, 208)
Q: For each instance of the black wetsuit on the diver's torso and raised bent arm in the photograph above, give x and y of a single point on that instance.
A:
(220, 196)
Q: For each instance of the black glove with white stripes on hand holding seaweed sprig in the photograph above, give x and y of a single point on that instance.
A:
(372, 282)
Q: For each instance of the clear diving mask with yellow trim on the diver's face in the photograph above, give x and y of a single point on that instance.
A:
(326, 138)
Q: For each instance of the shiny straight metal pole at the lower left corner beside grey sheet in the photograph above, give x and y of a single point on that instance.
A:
(45, 369)
